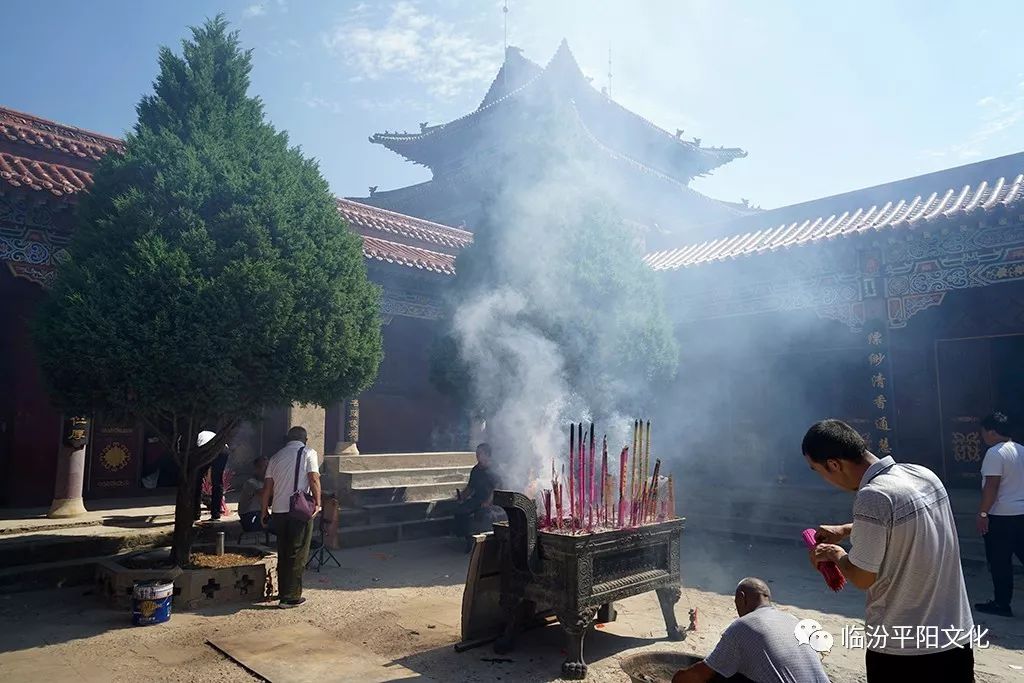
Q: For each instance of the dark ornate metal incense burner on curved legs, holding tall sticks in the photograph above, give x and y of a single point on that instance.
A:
(575, 576)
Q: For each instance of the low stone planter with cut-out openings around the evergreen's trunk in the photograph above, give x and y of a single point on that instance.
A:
(194, 588)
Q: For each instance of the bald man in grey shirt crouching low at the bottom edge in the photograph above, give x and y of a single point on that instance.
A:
(760, 647)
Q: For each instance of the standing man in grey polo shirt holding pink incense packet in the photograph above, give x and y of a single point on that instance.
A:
(905, 554)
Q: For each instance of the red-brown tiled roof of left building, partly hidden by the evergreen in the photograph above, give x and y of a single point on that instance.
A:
(45, 156)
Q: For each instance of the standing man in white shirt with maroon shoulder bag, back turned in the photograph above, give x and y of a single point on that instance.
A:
(293, 468)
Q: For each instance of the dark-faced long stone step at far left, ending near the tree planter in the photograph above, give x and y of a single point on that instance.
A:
(28, 549)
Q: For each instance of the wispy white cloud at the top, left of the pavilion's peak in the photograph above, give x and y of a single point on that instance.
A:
(415, 46)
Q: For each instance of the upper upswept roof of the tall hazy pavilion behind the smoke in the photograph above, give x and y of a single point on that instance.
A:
(522, 83)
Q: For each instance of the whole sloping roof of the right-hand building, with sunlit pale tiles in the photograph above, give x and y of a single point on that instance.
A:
(954, 196)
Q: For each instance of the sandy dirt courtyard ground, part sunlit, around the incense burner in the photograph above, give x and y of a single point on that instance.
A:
(402, 605)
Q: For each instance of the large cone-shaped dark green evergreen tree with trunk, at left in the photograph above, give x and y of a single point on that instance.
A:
(211, 274)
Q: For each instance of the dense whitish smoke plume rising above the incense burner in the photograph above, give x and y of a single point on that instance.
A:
(528, 386)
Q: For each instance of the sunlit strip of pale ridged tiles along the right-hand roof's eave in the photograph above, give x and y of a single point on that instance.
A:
(949, 204)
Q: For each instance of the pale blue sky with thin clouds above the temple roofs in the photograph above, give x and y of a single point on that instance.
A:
(826, 98)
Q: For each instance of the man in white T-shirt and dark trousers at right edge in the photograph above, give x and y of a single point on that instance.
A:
(1001, 517)
